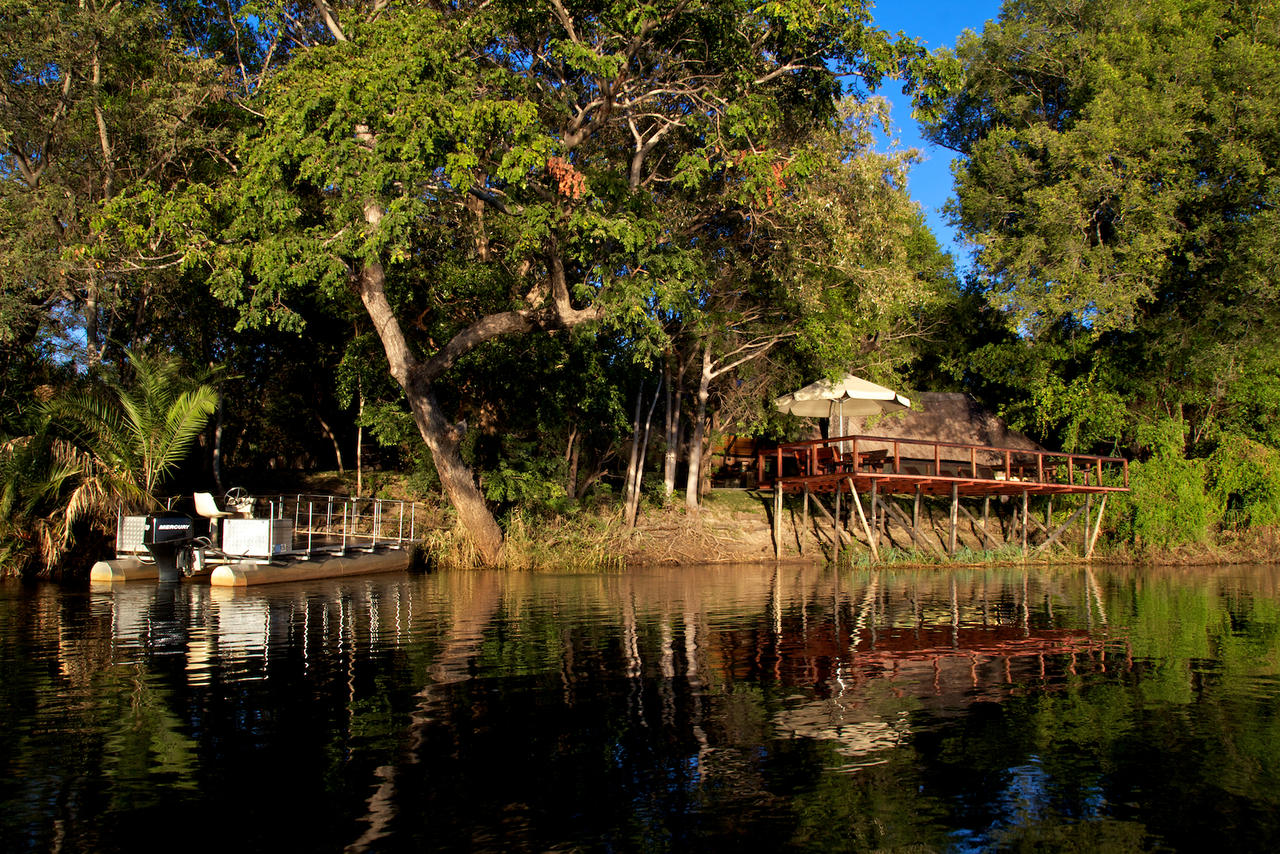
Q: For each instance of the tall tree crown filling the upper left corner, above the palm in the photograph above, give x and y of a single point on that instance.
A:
(104, 109)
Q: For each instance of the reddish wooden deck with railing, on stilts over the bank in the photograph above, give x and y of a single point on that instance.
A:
(881, 467)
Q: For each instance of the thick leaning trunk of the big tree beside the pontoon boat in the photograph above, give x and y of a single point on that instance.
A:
(441, 437)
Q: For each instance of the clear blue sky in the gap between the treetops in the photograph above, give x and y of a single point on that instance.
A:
(938, 24)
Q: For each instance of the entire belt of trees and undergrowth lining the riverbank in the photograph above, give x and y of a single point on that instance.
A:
(541, 259)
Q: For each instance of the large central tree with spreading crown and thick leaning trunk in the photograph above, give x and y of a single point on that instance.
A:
(470, 172)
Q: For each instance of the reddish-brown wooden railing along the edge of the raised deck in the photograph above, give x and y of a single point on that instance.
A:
(877, 456)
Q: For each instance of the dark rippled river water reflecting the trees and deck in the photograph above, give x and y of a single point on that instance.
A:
(794, 709)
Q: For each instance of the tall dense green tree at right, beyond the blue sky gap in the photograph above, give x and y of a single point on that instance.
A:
(1119, 177)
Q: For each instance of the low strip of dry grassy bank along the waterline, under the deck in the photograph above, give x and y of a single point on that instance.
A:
(734, 527)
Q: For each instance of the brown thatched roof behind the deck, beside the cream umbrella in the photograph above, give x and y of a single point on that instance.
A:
(943, 418)
